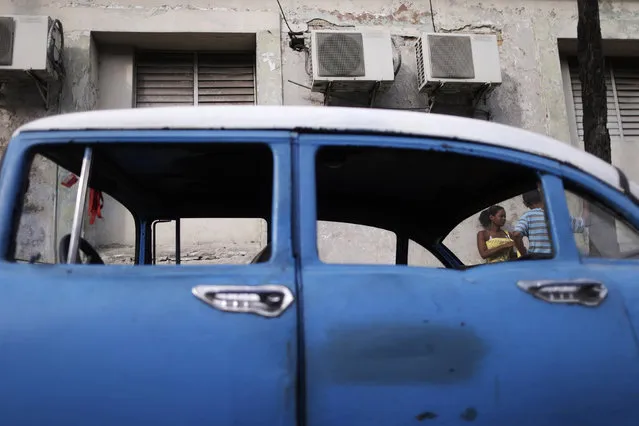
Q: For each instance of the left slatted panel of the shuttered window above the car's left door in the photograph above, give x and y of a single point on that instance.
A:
(164, 79)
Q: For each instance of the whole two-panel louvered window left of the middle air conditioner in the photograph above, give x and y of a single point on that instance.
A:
(181, 78)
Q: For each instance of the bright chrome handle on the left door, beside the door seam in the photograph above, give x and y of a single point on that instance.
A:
(266, 300)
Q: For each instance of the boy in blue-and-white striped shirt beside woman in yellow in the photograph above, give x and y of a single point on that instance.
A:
(532, 224)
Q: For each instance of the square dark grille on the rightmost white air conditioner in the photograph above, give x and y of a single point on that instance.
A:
(451, 57)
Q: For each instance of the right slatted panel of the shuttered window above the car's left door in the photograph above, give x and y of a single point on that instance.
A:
(225, 78)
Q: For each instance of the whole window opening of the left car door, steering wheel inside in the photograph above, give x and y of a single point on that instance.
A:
(222, 194)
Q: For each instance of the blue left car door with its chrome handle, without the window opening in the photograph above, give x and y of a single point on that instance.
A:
(131, 345)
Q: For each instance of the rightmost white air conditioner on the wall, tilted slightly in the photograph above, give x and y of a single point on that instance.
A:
(457, 62)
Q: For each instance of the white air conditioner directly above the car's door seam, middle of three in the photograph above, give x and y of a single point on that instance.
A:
(350, 60)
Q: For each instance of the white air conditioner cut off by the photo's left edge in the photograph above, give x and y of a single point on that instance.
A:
(30, 43)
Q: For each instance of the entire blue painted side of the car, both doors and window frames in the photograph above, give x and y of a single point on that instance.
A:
(361, 345)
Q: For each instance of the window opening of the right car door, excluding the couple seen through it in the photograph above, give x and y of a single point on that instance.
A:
(425, 195)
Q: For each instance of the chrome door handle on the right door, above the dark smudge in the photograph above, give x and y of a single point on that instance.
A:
(580, 291)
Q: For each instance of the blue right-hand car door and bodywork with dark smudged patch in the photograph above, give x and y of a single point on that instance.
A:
(398, 344)
